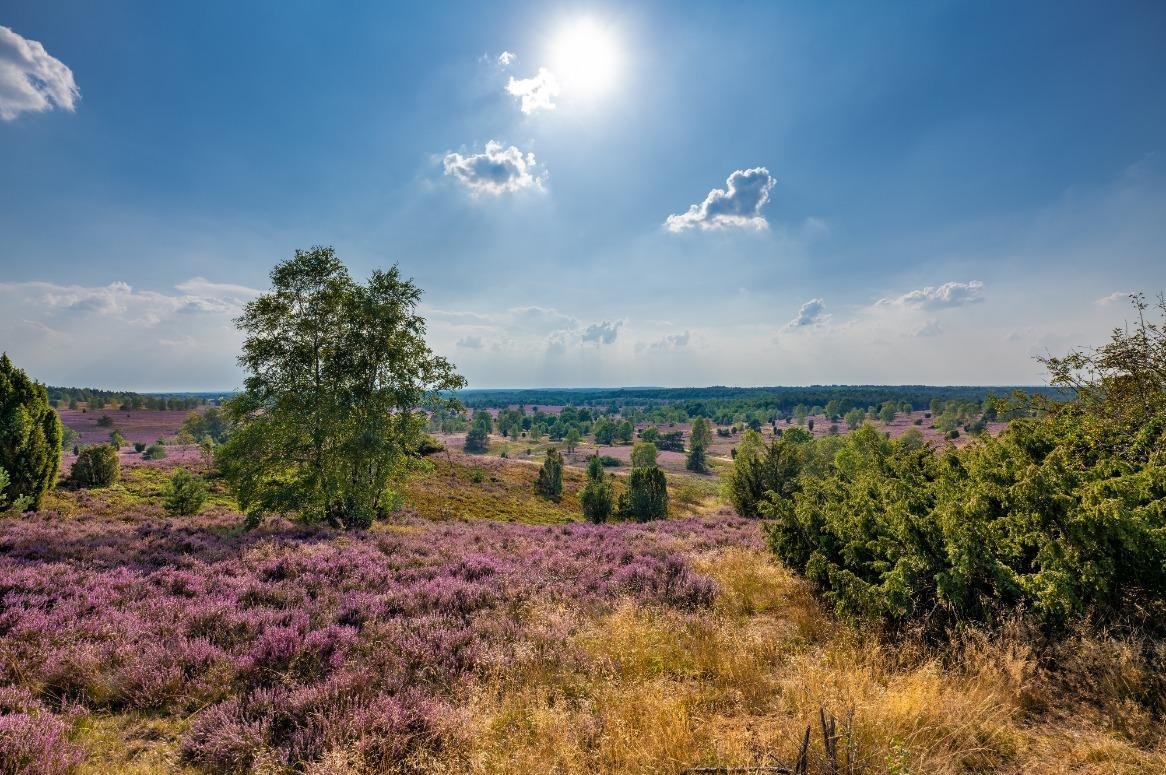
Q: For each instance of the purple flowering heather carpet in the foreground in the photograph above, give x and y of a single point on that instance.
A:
(291, 643)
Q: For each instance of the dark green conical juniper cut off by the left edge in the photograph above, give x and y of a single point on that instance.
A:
(30, 436)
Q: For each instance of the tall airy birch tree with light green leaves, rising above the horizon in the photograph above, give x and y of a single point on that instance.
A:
(332, 415)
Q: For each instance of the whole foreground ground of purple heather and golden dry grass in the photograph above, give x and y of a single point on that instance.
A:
(449, 643)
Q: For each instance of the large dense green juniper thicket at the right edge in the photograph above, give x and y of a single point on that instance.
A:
(1063, 517)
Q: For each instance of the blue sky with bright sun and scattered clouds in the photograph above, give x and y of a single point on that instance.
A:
(595, 194)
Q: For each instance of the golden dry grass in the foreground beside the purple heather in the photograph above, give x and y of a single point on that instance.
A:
(643, 691)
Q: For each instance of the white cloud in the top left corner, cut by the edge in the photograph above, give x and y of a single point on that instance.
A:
(32, 81)
